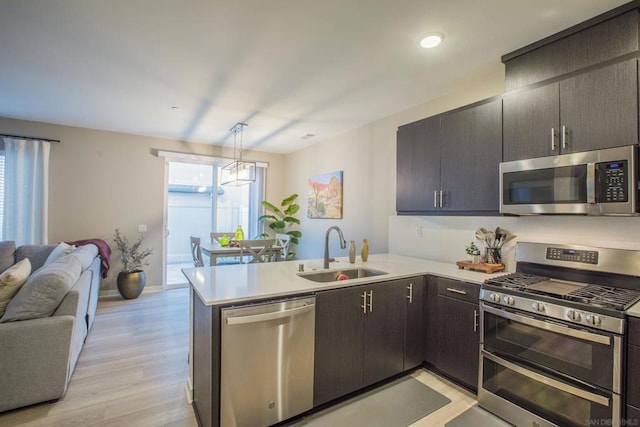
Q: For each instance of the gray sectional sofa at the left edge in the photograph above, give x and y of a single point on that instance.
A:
(45, 323)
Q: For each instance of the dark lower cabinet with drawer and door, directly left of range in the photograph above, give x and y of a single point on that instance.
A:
(458, 337)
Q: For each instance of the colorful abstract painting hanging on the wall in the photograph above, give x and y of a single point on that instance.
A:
(325, 196)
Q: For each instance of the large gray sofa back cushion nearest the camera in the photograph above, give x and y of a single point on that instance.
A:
(44, 290)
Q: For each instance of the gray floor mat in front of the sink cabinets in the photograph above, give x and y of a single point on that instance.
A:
(397, 404)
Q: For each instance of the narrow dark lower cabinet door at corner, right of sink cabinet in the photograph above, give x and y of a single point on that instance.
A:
(415, 324)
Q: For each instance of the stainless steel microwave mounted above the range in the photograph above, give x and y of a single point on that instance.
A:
(600, 182)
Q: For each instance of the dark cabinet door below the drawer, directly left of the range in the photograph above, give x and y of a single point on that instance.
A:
(458, 340)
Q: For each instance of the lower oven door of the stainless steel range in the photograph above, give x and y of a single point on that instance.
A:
(524, 396)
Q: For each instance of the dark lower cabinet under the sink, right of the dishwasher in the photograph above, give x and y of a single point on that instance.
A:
(360, 336)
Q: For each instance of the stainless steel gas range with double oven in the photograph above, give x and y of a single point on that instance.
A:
(552, 335)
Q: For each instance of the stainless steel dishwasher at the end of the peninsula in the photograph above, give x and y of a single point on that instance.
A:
(267, 362)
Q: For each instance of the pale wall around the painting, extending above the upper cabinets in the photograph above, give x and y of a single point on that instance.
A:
(367, 156)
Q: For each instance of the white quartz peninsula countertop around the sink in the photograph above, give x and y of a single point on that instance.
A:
(229, 284)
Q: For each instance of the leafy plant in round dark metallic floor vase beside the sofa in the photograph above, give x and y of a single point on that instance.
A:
(132, 278)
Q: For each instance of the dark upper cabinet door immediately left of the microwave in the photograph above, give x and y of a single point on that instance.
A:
(471, 152)
